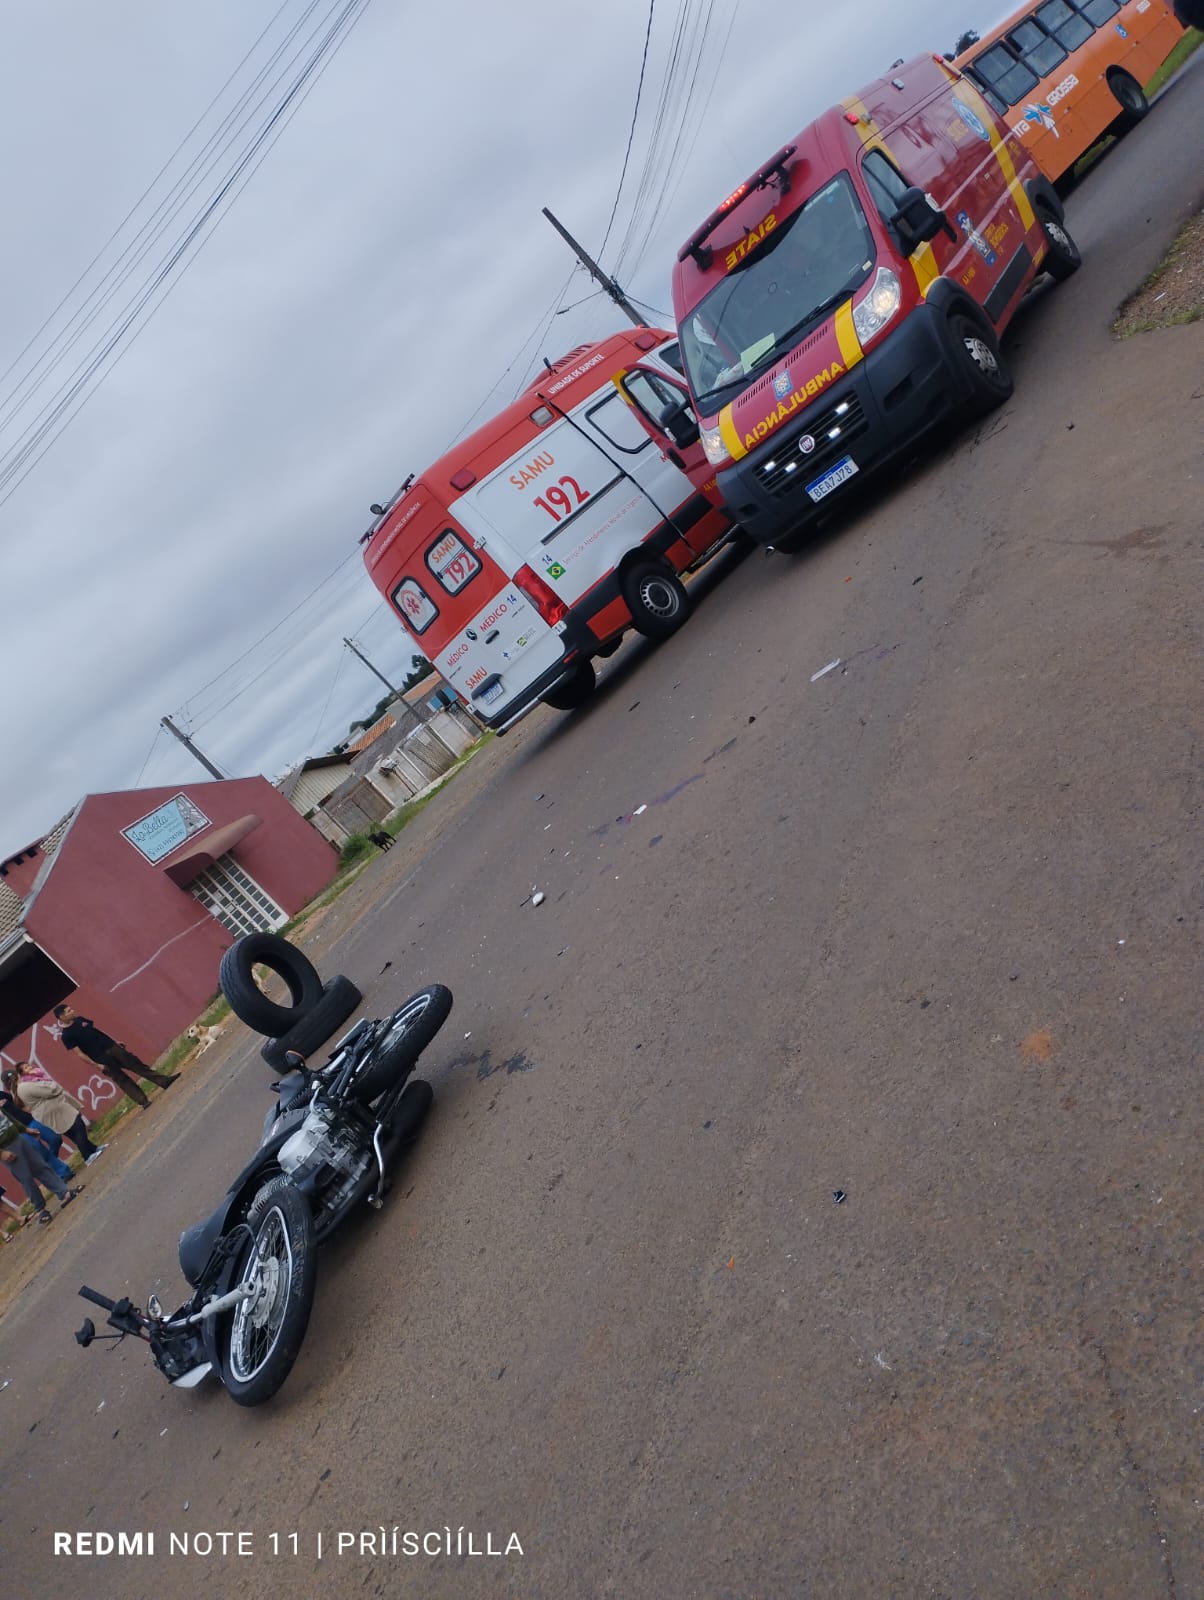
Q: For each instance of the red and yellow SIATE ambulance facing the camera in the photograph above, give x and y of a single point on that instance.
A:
(849, 297)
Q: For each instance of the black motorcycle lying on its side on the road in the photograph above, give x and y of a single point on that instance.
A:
(326, 1150)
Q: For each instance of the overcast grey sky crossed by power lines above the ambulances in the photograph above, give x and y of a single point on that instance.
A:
(241, 302)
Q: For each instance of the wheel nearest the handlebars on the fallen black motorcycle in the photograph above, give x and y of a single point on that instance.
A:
(263, 1335)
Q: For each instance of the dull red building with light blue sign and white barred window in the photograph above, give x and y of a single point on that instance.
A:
(127, 906)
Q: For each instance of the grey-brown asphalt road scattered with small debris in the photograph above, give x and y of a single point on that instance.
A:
(918, 932)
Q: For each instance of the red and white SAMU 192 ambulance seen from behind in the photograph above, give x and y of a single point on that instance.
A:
(534, 545)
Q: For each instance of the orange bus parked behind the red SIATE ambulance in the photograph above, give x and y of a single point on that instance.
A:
(1066, 73)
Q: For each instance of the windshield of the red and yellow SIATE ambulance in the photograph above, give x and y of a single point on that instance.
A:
(806, 268)
